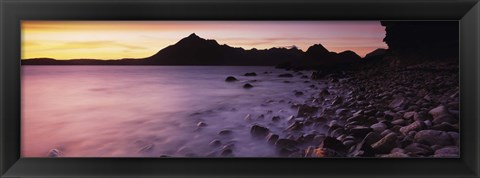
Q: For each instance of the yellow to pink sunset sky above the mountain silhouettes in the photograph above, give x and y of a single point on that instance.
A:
(139, 39)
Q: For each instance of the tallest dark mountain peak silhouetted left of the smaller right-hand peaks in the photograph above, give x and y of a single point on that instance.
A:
(194, 50)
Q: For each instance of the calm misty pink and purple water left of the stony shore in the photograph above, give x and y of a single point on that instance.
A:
(150, 111)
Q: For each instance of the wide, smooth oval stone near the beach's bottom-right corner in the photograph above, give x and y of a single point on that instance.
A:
(433, 137)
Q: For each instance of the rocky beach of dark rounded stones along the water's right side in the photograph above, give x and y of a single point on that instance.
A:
(380, 112)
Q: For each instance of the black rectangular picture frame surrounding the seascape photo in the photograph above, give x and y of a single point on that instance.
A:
(467, 12)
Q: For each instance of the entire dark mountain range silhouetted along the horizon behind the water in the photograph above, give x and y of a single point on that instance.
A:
(194, 50)
